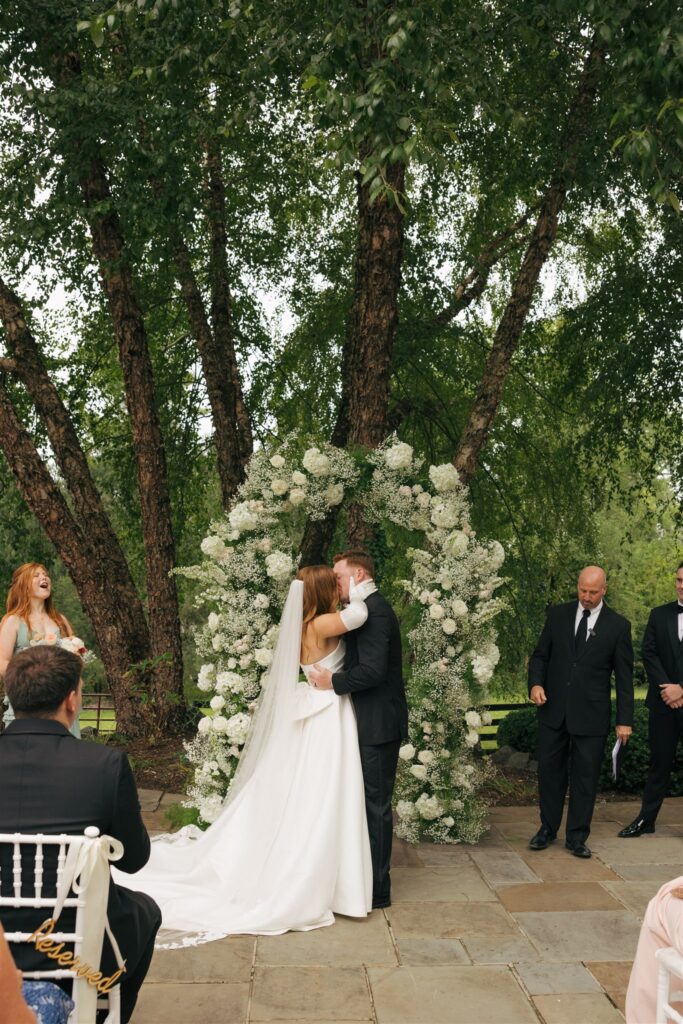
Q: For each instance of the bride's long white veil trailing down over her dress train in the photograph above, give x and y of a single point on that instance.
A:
(207, 883)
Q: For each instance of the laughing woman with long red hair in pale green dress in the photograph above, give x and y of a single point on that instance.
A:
(31, 619)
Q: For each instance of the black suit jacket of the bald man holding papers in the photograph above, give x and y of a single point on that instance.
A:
(578, 684)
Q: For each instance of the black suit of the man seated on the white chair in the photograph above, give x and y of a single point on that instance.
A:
(52, 783)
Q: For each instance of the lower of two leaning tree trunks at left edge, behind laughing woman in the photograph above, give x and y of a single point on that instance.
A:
(90, 573)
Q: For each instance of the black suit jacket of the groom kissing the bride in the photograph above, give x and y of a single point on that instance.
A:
(373, 675)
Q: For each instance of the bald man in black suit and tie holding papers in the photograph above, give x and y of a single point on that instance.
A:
(582, 644)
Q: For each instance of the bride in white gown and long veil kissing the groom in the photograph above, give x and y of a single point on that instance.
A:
(290, 847)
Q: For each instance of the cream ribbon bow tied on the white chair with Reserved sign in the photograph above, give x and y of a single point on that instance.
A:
(88, 863)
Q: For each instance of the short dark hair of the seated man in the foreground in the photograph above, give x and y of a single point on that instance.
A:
(39, 679)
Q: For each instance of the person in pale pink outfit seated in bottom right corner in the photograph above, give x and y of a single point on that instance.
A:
(663, 927)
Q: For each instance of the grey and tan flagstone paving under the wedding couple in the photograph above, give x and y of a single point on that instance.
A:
(489, 933)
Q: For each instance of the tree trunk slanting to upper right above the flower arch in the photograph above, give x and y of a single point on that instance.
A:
(516, 314)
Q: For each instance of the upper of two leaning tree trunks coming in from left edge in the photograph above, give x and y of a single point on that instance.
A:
(94, 522)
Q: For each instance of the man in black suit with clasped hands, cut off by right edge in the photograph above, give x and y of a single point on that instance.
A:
(663, 657)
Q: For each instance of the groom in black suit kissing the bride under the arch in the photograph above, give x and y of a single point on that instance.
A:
(373, 676)
